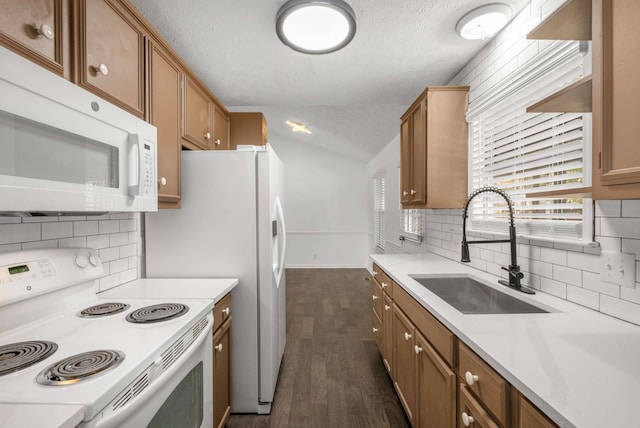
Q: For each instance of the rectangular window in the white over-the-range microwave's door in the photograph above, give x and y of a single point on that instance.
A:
(35, 150)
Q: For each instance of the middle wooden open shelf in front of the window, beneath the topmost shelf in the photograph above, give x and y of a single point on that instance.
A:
(575, 98)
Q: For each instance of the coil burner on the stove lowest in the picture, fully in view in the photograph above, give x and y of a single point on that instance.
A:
(80, 367)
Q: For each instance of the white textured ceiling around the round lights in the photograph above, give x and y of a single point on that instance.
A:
(351, 99)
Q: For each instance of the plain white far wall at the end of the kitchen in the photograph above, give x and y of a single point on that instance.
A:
(325, 206)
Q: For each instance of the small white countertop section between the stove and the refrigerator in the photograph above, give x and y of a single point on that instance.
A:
(169, 288)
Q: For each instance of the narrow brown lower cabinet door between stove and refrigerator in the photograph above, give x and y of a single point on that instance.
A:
(222, 375)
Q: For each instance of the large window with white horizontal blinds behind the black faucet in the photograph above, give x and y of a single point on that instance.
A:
(529, 153)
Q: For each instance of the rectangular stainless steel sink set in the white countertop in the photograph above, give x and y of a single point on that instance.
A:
(472, 297)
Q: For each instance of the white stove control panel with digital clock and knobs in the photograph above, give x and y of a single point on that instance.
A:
(26, 274)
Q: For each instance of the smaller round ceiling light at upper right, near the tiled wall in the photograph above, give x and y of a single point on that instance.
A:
(483, 22)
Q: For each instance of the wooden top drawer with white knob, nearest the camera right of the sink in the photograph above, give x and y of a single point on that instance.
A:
(490, 388)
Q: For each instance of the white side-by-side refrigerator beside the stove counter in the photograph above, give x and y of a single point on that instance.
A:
(231, 224)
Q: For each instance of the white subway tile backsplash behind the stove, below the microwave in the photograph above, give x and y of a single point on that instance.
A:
(116, 236)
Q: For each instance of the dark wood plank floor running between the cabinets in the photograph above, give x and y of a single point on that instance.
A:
(332, 374)
